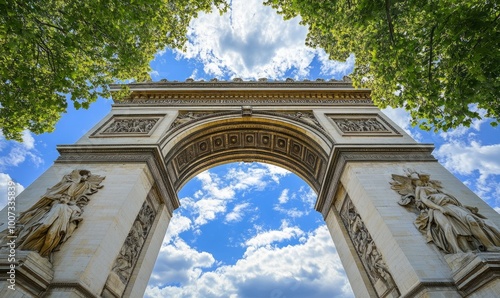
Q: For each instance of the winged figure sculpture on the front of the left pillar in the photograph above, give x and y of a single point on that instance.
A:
(53, 219)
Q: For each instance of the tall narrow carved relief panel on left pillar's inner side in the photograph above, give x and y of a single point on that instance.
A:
(131, 249)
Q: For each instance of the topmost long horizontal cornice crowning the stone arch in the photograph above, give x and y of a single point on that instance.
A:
(244, 93)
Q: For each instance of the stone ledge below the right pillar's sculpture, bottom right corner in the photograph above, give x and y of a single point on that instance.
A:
(476, 274)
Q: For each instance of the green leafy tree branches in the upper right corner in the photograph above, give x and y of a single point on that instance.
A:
(438, 59)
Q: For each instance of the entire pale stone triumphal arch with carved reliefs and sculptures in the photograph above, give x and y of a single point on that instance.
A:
(93, 223)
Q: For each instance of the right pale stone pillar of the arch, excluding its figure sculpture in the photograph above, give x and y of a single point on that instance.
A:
(363, 209)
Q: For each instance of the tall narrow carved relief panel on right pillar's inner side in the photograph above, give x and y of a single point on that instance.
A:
(367, 251)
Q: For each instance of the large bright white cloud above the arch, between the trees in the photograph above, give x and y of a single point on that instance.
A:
(252, 41)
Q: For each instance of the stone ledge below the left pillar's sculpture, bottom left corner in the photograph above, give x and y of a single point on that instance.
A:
(30, 277)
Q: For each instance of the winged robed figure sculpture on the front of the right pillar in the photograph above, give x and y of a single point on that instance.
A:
(451, 226)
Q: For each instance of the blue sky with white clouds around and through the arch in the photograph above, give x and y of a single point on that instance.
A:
(248, 229)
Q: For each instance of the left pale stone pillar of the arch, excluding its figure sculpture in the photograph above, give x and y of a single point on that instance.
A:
(126, 218)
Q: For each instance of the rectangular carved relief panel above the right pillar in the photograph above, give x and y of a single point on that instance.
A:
(356, 125)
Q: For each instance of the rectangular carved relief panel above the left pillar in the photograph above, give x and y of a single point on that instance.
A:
(128, 126)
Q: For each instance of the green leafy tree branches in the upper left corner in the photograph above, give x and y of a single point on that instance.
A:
(50, 48)
